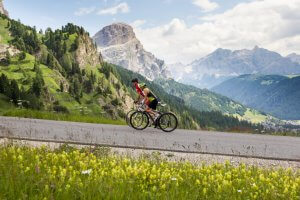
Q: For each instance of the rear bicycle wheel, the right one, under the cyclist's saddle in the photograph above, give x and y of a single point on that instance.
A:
(168, 122)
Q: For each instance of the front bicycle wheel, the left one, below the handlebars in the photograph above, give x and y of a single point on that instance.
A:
(139, 120)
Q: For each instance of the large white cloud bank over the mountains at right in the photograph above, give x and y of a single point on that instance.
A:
(267, 23)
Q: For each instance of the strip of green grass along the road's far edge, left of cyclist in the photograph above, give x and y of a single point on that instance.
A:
(61, 117)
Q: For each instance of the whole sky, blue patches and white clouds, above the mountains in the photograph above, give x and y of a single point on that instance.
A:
(177, 30)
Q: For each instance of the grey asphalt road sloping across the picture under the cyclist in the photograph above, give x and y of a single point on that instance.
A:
(280, 147)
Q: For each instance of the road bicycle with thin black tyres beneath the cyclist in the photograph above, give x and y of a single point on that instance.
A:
(140, 119)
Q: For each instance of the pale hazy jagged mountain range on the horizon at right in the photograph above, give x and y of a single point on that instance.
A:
(224, 64)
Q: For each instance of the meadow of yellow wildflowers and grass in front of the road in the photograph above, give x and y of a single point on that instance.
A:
(69, 173)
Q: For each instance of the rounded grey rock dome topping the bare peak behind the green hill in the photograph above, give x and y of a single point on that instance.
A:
(114, 34)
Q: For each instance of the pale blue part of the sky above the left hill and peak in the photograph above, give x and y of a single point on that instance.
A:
(55, 13)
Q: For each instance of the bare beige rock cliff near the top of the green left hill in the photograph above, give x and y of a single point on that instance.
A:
(86, 53)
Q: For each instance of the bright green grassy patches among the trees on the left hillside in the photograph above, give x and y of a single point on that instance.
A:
(23, 73)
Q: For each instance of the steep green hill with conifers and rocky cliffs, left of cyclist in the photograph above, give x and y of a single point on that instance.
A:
(58, 71)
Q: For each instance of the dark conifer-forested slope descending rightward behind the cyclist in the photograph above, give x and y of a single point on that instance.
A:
(206, 119)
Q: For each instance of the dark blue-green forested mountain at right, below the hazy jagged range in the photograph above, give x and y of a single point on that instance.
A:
(273, 94)
